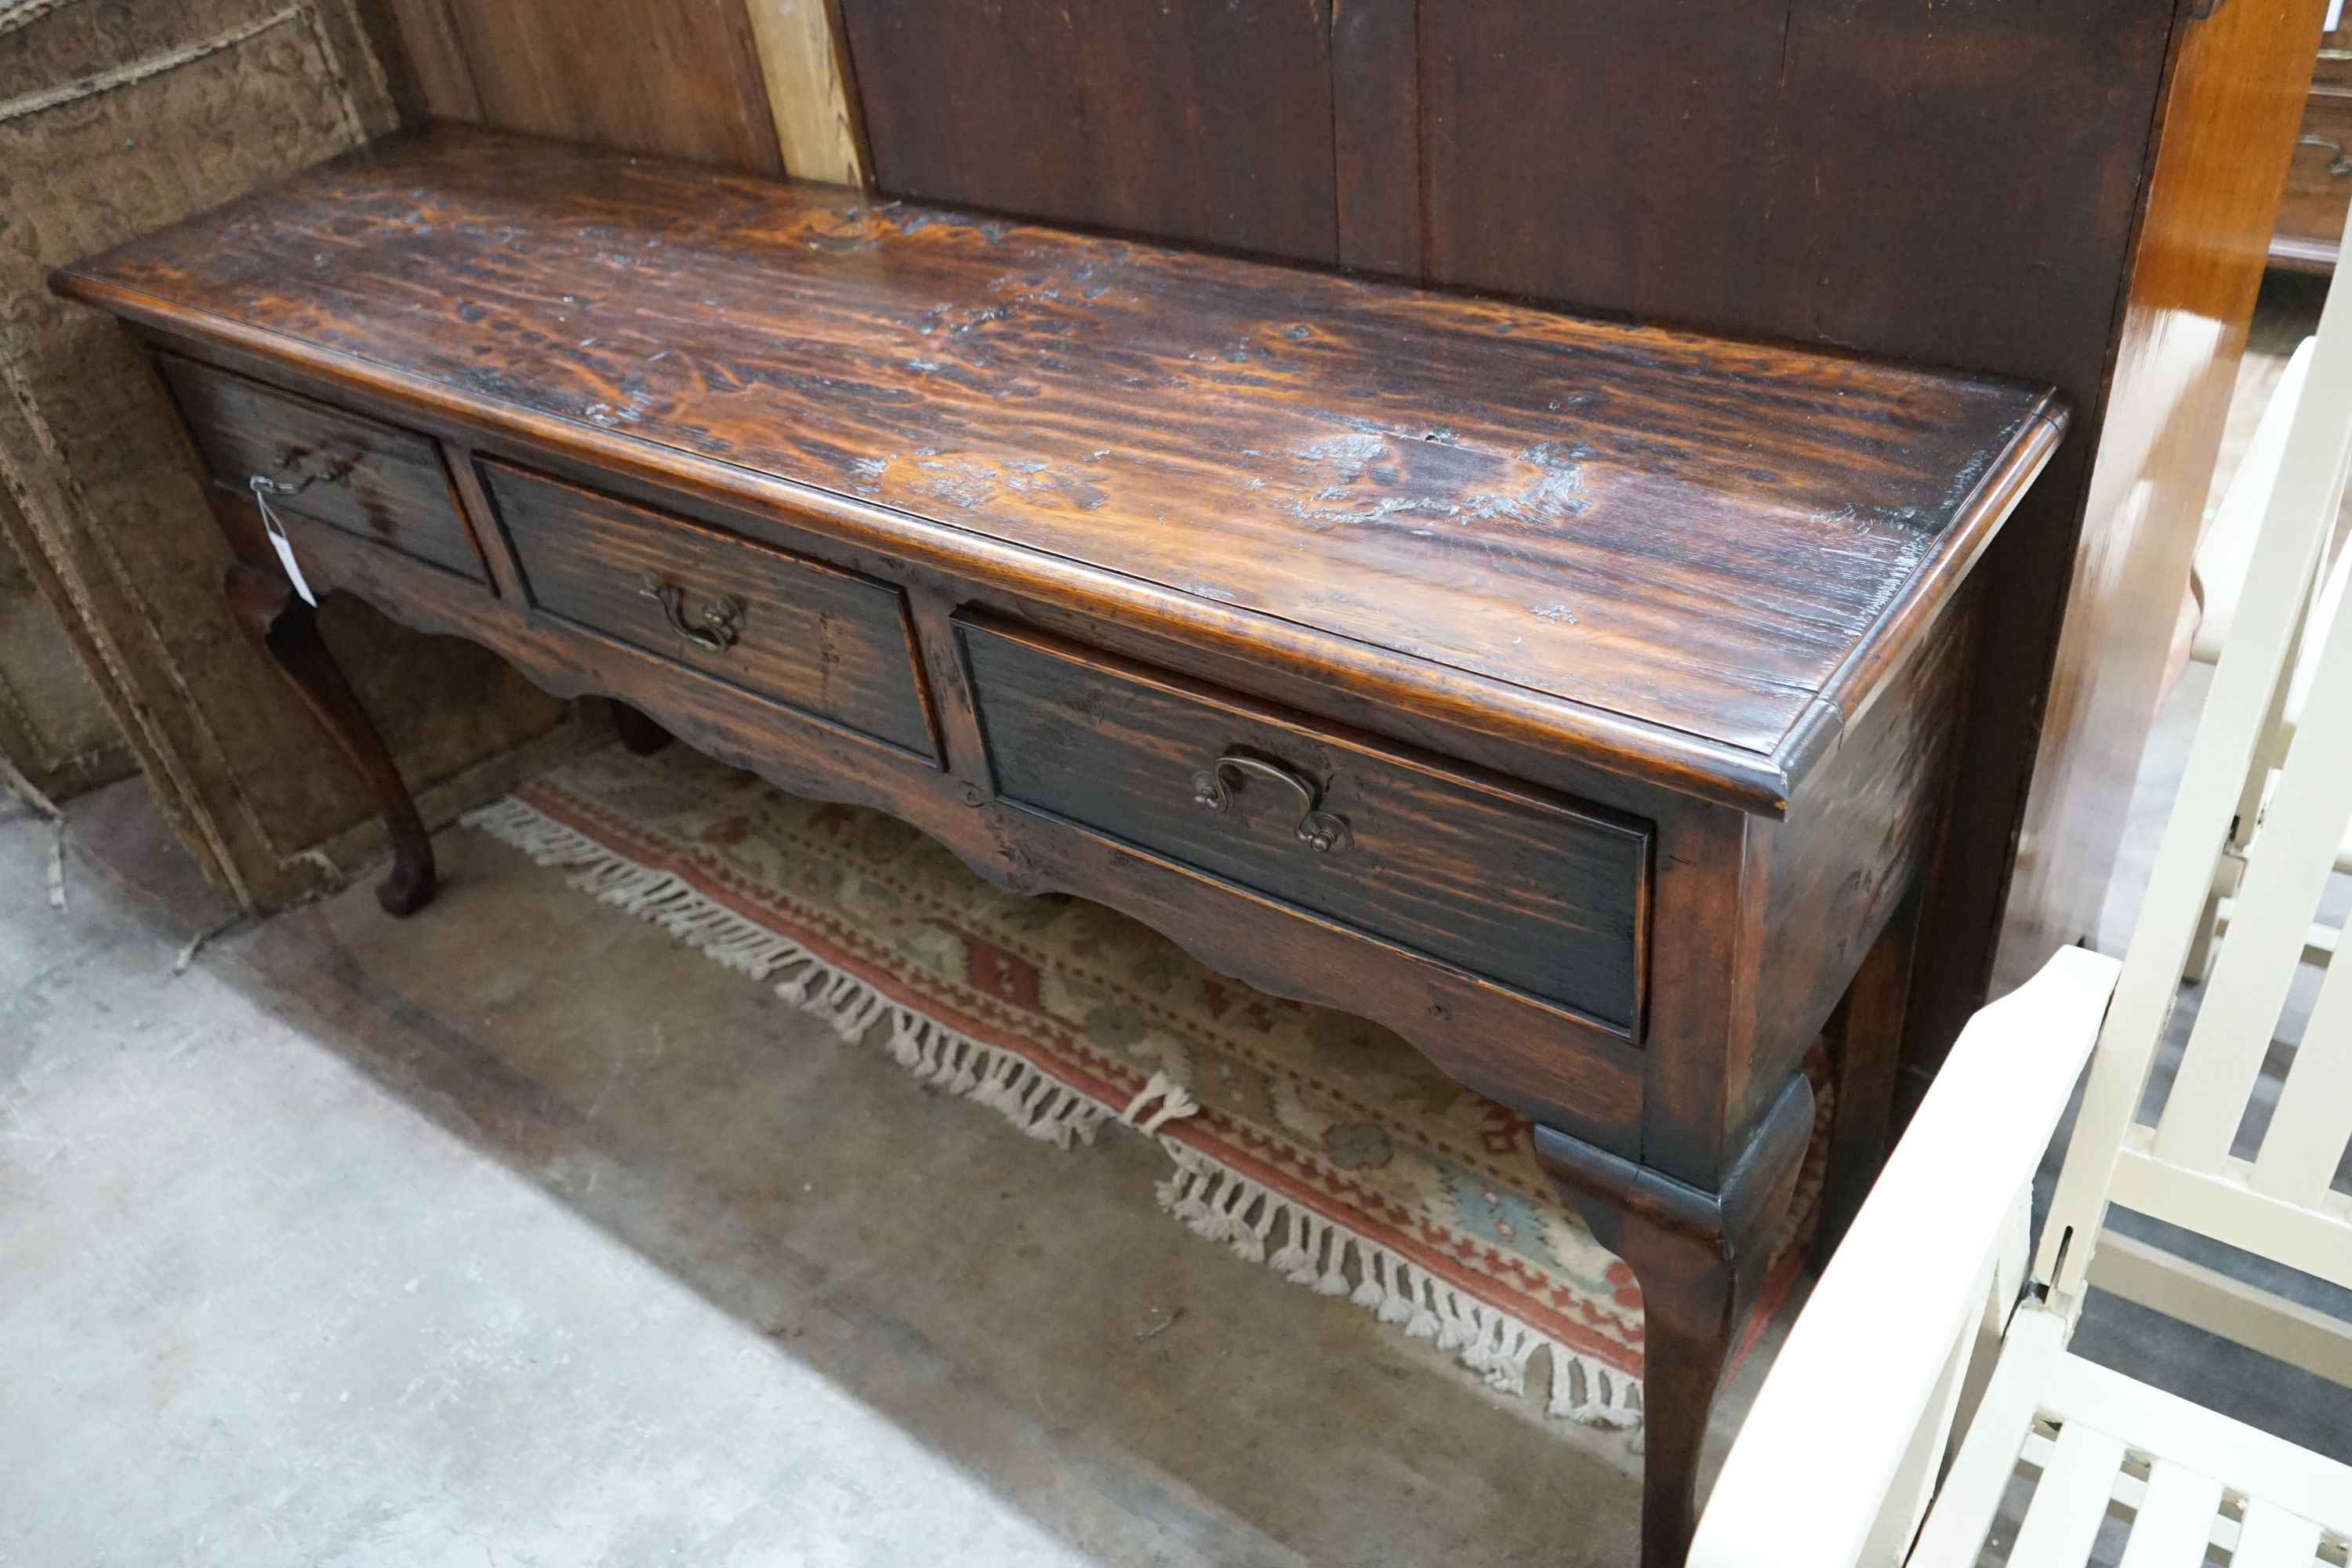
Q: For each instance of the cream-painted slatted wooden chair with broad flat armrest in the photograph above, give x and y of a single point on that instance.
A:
(1930, 1374)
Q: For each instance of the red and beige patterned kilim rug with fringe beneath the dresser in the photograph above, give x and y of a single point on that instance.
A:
(1307, 1141)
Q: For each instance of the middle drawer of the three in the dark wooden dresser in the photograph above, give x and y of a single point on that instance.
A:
(768, 622)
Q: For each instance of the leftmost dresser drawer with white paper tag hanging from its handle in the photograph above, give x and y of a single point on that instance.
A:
(359, 476)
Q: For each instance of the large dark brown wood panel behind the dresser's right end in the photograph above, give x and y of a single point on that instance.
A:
(1932, 180)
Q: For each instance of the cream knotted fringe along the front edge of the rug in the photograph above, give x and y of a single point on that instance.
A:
(1208, 1198)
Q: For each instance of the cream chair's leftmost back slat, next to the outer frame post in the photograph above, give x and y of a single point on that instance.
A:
(2290, 864)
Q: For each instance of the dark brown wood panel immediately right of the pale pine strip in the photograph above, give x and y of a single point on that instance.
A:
(1191, 121)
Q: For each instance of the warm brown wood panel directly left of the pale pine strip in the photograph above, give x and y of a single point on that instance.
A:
(648, 76)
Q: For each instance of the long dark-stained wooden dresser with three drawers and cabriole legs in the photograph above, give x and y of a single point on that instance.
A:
(1575, 699)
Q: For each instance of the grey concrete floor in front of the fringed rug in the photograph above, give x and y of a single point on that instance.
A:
(521, 1235)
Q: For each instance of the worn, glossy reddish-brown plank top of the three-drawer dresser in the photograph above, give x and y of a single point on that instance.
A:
(1690, 554)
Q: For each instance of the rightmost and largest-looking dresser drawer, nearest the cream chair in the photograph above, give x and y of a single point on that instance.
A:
(1509, 883)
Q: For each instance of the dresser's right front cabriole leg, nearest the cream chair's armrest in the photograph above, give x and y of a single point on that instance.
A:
(1702, 1259)
